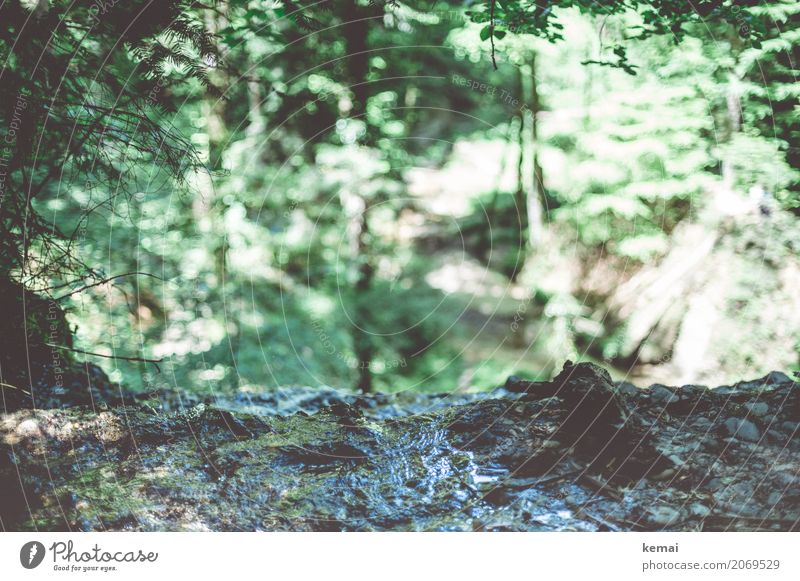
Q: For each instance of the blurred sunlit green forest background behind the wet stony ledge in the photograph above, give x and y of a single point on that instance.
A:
(384, 210)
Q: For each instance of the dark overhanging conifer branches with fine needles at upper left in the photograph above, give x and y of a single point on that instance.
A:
(81, 91)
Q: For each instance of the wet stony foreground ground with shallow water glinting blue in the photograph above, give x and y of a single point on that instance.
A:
(576, 453)
